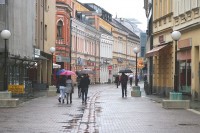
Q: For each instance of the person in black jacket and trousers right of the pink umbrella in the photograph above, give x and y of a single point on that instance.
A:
(84, 84)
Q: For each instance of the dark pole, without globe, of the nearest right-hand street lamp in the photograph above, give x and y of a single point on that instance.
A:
(175, 73)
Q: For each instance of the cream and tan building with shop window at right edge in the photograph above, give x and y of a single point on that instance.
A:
(187, 21)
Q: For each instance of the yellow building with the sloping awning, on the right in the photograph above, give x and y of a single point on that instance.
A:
(162, 52)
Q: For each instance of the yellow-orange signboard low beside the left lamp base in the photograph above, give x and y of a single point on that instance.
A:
(16, 89)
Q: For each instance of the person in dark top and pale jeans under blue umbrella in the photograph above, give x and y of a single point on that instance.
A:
(62, 87)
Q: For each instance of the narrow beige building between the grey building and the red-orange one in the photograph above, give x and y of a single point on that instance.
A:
(45, 38)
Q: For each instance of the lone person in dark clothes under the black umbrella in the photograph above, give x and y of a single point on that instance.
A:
(124, 80)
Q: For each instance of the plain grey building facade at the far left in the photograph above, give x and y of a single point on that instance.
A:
(20, 46)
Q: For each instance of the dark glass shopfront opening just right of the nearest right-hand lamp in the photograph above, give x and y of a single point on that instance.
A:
(185, 76)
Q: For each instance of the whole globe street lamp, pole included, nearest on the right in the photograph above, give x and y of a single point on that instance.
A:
(176, 36)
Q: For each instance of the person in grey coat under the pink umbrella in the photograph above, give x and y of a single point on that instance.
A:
(69, 89)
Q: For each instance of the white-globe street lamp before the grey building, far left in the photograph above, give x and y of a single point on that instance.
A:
(5, 34)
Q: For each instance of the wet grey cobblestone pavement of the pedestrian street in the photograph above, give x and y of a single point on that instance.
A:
(105, 112)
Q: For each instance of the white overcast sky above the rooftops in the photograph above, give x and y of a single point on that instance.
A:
(123, 9)
